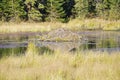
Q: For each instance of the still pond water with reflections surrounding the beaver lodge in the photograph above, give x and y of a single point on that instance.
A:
(95, 40)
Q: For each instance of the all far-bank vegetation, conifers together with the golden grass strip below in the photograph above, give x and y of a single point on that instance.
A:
(51, 14)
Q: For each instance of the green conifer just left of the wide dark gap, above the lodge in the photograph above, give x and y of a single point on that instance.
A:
(55, 10)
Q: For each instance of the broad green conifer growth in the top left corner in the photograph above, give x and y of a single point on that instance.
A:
(11, 9)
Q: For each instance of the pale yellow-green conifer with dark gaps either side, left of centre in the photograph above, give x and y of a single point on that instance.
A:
(33, 12)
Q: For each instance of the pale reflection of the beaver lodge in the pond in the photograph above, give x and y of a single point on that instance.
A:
(62, 46)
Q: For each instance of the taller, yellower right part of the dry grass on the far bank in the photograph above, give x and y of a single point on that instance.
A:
(94, 24)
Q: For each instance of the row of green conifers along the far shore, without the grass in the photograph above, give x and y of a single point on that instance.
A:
(58, 10)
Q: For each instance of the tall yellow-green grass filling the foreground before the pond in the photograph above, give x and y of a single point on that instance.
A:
(61, 66)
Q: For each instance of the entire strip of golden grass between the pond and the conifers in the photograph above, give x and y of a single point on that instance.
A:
(90, 24)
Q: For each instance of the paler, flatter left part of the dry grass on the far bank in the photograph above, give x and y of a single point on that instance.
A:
(28, 27)
